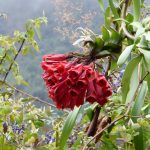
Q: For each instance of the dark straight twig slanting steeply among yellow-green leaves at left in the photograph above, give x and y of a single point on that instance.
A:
(10, 67)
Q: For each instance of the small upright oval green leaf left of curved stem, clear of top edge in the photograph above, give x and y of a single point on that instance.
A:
(107, 17)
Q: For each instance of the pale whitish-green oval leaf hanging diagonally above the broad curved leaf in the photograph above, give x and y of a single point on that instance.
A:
(124, 55)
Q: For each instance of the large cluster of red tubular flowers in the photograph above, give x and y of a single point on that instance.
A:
(69, 83)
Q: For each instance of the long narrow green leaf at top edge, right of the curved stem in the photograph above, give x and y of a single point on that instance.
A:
(137, 9)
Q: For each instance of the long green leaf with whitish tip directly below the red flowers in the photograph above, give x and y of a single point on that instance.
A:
(68, 126)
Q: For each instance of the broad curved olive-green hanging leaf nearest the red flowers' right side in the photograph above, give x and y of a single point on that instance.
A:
(127, 76)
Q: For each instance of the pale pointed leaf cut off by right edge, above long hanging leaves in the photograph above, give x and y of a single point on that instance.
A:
(146, 57)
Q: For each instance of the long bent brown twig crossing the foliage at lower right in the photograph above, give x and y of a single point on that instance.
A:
(119, 118)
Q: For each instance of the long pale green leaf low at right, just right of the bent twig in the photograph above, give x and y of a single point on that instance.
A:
(136, 110)
